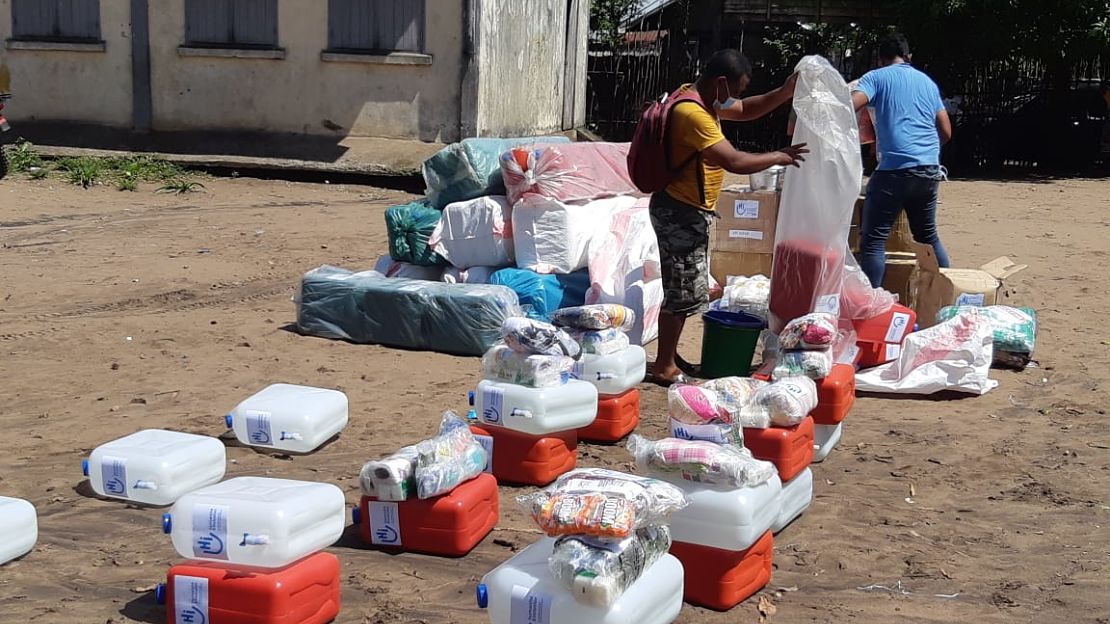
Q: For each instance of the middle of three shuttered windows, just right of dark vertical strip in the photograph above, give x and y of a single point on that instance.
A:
(231, 24)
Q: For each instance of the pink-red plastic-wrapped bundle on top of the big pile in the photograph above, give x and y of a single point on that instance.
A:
(572, 173)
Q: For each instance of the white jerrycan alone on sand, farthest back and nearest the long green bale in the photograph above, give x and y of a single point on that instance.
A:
(297, 419)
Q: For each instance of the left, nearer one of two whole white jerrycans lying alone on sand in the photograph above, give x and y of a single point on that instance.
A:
(155, 467)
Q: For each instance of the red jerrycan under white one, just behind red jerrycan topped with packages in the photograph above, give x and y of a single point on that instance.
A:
(531, 460)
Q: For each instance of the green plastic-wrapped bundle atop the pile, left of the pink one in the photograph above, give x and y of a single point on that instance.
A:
(472, 168)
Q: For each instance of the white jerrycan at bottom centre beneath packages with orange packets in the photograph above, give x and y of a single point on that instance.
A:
(522, 590)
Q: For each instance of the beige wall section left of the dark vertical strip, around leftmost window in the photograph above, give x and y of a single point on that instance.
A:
(93, 86)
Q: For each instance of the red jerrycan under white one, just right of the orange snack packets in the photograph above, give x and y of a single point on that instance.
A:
(722, 580)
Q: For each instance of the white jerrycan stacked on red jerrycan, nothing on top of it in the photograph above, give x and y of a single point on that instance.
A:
(257, 521)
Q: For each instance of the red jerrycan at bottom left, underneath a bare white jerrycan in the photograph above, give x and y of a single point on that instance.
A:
(307, 592)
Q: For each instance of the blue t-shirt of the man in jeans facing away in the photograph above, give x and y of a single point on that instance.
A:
(906, 104)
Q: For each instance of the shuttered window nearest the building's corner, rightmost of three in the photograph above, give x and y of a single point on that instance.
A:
(376, 26)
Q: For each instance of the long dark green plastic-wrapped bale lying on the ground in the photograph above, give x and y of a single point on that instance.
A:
(368, 309)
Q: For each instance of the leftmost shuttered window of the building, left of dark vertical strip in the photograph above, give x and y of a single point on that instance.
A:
(56, 21)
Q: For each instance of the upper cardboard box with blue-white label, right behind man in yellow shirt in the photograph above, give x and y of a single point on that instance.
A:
(748, 222)
